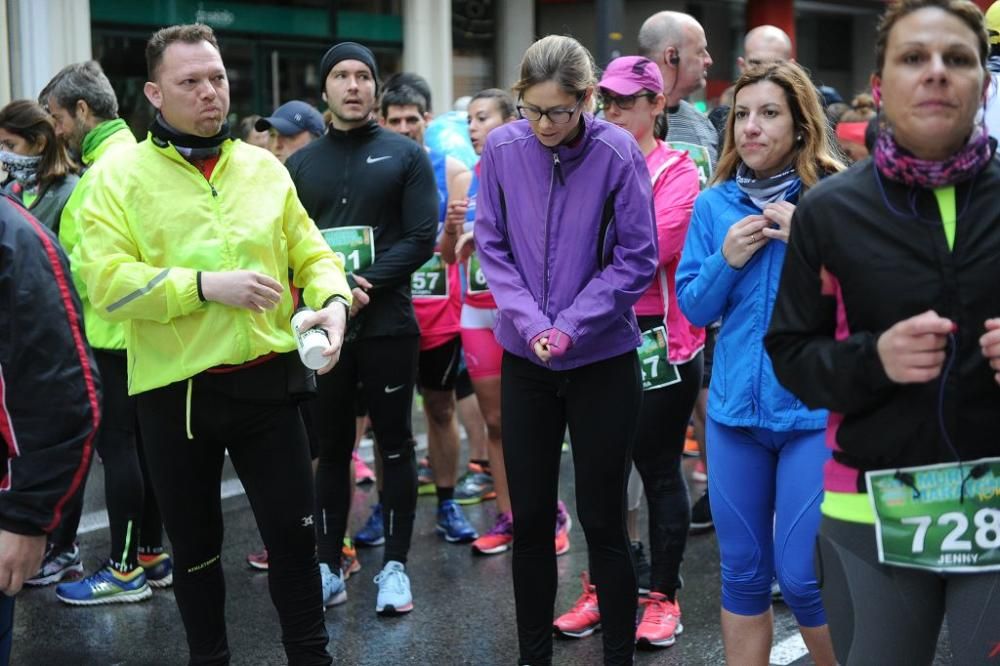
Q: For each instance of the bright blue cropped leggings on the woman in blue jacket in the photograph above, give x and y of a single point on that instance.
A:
(766, 488)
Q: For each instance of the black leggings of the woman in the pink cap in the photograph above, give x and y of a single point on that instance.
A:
(658, 447)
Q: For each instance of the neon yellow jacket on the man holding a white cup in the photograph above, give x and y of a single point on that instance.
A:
(153, 222)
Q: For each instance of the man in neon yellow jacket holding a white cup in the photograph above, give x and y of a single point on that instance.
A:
(189, 238)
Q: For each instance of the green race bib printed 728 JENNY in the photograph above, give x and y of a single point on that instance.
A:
(923, 522)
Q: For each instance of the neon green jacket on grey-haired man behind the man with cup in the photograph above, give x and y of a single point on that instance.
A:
(101, 334)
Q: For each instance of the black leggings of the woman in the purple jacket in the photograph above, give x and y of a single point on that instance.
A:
(600, 402)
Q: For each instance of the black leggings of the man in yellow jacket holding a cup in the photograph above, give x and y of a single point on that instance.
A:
(188, 426)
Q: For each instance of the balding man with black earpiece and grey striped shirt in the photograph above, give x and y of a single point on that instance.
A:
(676, 43)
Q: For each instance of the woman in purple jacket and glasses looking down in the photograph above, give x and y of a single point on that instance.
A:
(567, 240)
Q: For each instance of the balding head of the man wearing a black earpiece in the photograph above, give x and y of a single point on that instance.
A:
(676, 43)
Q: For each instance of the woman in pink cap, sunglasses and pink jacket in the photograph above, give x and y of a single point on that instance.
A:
(670, 353)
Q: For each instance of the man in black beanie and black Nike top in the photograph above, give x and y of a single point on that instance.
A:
(373, 196)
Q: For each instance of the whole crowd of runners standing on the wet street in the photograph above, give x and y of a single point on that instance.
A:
(800, 286)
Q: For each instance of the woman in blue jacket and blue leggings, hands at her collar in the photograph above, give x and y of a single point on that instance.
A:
(766, 449)
